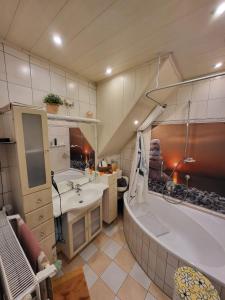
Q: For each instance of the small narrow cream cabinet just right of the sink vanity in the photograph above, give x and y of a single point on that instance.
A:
(109, 199)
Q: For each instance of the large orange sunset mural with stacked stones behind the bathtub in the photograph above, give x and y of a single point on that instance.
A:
(200, 179)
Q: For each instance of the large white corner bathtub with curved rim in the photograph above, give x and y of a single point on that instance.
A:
(192, 236)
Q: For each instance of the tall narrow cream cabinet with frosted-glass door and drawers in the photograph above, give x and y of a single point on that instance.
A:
(30, 172)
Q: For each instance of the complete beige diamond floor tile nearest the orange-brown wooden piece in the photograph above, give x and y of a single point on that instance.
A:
(99, 262)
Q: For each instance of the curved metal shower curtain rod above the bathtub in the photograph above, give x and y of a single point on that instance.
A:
(147, 94)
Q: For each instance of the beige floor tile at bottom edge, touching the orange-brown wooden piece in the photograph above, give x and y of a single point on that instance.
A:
(101, 291)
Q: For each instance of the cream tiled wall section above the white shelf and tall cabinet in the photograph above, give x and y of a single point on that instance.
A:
(27, 79)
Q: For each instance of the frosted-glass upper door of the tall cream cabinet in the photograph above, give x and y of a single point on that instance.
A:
(31, 131)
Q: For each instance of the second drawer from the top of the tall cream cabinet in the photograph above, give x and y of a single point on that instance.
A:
(39, 216)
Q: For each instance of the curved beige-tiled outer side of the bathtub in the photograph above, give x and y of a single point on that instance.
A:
(156, 261)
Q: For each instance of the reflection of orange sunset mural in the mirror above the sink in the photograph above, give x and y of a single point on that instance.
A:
(82, 155)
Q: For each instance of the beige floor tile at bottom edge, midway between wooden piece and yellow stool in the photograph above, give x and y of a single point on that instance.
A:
(131, 290)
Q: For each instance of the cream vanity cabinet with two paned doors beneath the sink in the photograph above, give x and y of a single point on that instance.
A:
(79, 228)
